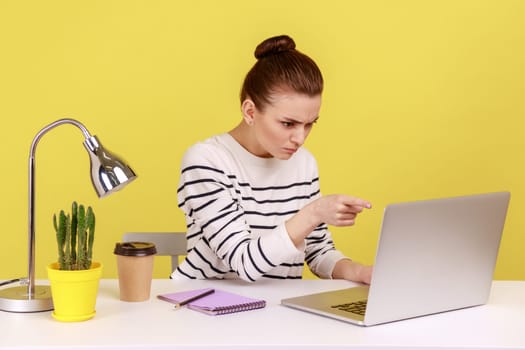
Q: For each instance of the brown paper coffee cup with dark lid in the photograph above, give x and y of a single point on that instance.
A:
(135, 269)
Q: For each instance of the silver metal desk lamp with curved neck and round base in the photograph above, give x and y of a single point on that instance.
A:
(108, 174)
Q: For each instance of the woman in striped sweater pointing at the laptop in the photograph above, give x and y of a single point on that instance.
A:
(251, 196)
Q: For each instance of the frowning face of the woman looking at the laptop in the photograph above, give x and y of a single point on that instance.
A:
(283, 126)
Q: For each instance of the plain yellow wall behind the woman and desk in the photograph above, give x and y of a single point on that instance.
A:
(423, 99)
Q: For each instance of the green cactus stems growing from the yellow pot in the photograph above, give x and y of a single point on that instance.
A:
(75, 234)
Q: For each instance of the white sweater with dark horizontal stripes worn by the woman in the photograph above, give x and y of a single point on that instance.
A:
(235, 206)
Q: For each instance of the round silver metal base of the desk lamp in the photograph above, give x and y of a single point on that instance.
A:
(16, 299)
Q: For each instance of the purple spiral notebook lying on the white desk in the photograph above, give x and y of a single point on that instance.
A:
(217, 303)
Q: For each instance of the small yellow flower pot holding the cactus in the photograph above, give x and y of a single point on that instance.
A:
(74, 292)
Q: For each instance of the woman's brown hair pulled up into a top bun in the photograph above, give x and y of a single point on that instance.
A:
(280, 66)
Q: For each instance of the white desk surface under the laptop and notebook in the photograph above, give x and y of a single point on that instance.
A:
(154, 324)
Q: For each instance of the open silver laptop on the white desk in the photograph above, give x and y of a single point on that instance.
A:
(433, 256)
